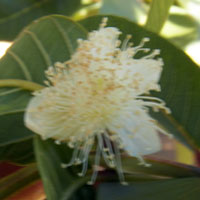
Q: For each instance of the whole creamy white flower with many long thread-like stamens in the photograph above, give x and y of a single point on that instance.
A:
(99, 95)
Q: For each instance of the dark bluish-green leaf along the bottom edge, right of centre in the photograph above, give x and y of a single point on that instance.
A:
(185, 188)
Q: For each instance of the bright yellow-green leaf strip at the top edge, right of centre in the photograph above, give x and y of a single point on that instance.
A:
(158, 14)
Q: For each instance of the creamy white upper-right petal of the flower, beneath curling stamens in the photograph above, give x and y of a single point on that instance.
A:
(143, 74)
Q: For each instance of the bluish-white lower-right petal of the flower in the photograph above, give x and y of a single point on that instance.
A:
(137, 133)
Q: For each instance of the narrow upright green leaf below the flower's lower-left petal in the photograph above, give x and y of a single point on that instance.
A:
(59, 183)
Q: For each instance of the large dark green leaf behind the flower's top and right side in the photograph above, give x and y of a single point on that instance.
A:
(179, 82)
